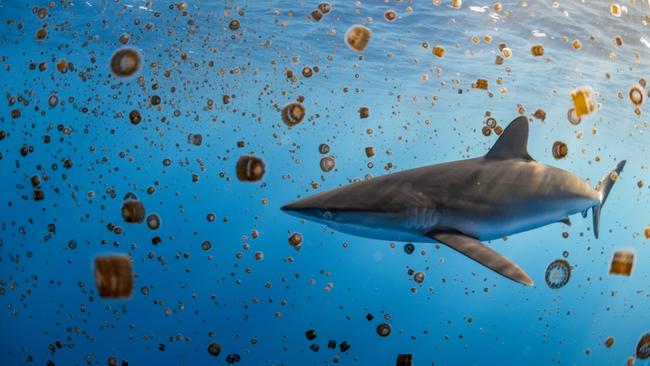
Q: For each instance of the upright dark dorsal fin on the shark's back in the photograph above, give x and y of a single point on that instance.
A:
(513, 142)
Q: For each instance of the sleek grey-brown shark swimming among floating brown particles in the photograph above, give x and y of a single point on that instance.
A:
(461, 203)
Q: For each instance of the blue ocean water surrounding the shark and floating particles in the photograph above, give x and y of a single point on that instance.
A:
(422, 110)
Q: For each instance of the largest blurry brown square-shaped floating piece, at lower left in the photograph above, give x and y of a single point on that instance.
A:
(114, 276)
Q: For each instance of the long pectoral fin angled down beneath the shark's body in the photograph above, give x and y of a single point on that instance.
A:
(483, 254)
